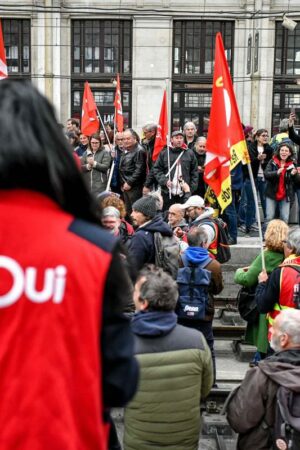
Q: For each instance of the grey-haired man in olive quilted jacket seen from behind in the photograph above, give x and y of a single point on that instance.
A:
(175, 370)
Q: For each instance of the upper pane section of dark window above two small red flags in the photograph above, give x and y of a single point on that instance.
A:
(101, 46)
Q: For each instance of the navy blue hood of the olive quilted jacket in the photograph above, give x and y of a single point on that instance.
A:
(153, 323)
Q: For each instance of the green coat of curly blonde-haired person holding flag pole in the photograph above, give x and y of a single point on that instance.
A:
(257, 334)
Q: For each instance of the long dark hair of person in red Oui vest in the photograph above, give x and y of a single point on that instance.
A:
(34, 152)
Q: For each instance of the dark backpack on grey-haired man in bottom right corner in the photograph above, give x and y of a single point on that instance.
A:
(286, 431)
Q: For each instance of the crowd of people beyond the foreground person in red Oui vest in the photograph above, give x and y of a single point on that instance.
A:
(168, 197)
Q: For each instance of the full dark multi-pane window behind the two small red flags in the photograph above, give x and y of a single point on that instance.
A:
(100, 50)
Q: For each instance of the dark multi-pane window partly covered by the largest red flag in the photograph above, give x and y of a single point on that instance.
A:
(193, 61)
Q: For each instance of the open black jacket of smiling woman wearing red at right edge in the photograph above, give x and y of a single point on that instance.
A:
(272, 177)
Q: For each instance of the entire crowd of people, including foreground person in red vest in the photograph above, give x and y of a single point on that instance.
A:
(120, 315)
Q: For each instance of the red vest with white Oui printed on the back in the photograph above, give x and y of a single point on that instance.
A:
(51, 292)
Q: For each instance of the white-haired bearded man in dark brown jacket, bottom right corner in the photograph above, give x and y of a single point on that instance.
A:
(251, 409)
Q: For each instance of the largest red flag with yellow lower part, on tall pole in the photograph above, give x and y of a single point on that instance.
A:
(226, 145)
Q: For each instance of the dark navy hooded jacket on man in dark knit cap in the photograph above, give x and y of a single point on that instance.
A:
(141, 247)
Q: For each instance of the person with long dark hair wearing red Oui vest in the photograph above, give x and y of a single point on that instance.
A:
(62, 285)
